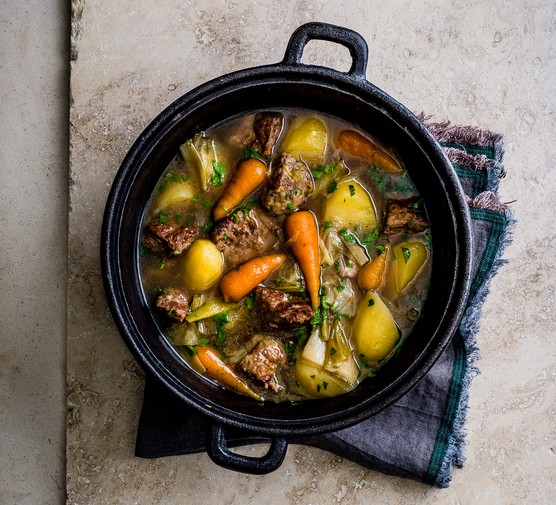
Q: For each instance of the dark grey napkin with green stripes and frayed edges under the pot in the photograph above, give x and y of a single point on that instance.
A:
(421, 436)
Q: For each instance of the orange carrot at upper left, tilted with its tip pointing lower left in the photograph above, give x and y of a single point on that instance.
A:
(249, 175)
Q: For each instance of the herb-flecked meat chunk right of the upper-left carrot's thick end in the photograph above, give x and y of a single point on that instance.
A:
(289, 186)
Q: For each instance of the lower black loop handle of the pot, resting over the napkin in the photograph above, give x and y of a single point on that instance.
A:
(217, 449)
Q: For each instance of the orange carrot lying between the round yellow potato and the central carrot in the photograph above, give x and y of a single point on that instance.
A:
(240, 281)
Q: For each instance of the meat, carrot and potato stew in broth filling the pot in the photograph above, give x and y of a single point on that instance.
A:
(286, 254)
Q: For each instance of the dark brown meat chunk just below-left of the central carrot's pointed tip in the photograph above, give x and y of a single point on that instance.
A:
(278, 310)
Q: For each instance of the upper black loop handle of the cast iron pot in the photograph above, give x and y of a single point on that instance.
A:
(332, 33)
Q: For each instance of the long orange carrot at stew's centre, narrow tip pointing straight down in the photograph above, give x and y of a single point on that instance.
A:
(301, 231)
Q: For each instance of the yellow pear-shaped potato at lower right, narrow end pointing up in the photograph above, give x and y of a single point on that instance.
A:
(374, 330)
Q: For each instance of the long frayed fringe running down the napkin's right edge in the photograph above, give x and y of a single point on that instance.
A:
(469, 327)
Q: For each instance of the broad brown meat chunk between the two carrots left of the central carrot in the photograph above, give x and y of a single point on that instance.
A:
(244, 235)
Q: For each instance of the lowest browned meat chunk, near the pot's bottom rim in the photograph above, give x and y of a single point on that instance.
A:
(263, 362)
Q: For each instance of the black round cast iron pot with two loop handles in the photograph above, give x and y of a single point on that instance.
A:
(288, 84)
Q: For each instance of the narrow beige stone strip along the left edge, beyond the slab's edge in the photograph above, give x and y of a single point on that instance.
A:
(34, 75)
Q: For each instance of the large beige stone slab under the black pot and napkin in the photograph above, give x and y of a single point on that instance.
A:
(489, 64)
